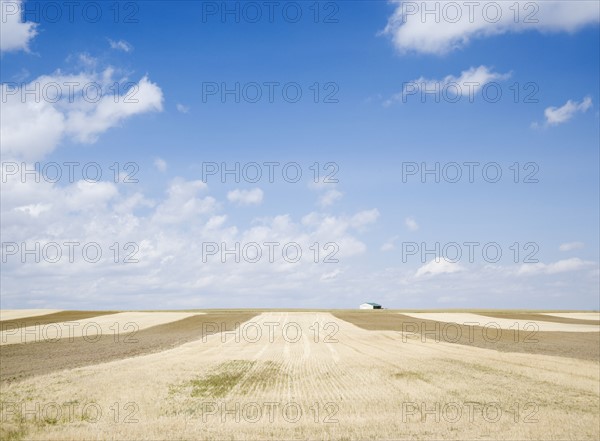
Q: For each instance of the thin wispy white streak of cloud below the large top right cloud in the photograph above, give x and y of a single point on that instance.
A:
(466, 84)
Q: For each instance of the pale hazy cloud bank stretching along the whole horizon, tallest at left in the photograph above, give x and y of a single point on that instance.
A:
(170, 231)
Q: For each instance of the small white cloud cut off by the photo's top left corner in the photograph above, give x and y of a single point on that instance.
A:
(15, 34)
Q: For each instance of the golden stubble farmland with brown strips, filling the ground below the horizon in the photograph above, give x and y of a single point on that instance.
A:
(310, 375)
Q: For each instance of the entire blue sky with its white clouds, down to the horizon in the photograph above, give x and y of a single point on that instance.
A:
(374, 52)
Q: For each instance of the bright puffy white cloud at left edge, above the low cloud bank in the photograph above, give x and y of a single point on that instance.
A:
(33, 126)
